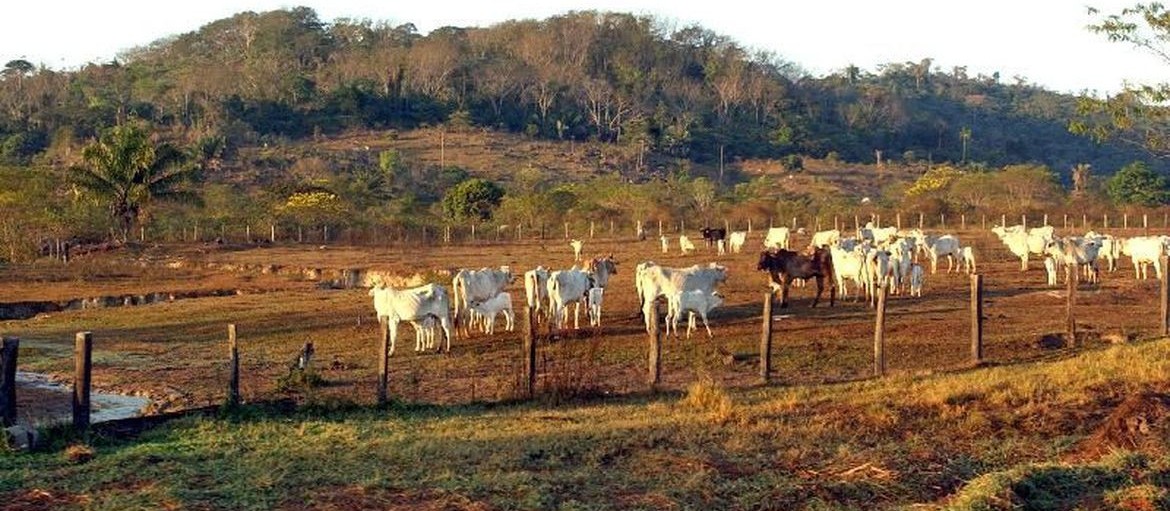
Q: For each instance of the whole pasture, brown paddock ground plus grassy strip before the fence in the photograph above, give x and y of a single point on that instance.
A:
(823, 436)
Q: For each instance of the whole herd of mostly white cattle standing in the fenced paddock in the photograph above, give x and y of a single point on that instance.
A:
(875, 260)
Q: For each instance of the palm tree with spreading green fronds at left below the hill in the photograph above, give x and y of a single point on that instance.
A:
(126, 169)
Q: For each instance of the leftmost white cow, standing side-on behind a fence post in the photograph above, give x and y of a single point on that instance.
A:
(415, 306)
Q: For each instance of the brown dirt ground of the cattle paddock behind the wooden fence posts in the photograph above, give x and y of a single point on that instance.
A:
(176, 353)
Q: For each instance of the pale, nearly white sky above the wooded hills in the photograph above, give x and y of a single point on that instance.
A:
(1043, 42)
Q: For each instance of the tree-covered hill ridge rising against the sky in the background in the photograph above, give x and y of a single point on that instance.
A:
(623, 79)
